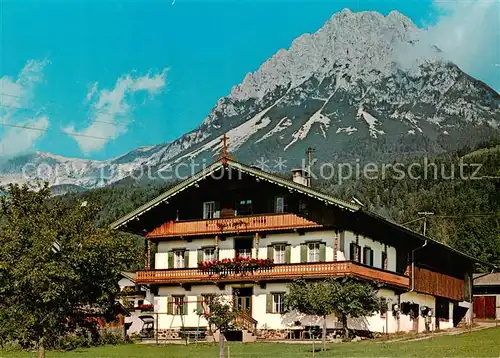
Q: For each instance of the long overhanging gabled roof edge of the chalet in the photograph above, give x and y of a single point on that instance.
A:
(226, 162)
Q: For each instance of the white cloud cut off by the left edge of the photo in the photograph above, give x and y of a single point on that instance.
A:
(16, 95)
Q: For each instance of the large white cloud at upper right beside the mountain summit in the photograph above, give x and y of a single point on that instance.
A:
(468, 34)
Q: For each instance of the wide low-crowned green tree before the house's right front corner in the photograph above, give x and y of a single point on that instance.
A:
(342, 297)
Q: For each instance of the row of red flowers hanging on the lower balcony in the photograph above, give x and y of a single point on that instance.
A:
(235, 265)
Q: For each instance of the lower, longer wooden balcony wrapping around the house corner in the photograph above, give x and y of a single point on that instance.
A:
(276, 273)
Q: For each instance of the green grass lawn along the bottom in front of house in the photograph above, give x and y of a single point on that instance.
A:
(484, 343)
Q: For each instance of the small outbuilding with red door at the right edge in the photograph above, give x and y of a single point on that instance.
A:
(486, 291)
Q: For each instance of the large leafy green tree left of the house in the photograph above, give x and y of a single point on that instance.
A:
(56, 267)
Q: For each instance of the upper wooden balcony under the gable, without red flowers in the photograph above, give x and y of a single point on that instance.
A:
(237, 224)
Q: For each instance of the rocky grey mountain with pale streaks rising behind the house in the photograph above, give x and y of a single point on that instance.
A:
(360, 87)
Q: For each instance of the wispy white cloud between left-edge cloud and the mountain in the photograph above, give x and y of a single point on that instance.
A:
(111, 109)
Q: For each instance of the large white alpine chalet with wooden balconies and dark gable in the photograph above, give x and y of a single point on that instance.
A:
(230, 209)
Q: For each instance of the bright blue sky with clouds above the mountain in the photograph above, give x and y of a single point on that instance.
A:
(154, 67)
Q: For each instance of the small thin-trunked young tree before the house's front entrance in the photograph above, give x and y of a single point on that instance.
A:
(221, 313)
